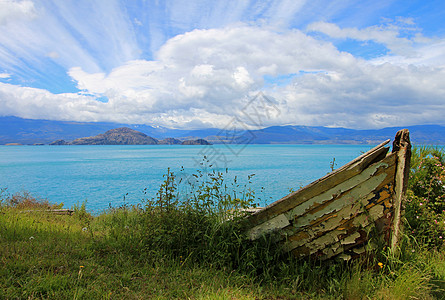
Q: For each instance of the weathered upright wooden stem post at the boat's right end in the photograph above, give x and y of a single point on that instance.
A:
(401, 146)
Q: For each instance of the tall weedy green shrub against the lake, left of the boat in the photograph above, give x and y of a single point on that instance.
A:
(193, 226)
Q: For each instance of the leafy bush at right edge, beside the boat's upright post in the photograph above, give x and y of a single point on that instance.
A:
(425, 205)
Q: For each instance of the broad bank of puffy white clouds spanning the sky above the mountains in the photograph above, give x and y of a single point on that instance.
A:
(204, 78)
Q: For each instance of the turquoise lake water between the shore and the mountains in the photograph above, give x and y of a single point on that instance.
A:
(115, 175)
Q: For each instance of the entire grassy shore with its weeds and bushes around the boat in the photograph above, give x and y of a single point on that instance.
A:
(182, 246)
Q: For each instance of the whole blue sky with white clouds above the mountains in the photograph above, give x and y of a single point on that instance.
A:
(199, 64)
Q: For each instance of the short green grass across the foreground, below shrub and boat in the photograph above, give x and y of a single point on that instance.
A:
(54, 257)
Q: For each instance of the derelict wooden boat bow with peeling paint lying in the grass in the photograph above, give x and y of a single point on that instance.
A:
(337, 215)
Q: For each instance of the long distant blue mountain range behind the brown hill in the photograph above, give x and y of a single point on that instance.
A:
(28, 131)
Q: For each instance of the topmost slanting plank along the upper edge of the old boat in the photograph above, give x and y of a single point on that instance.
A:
(319, 186)
